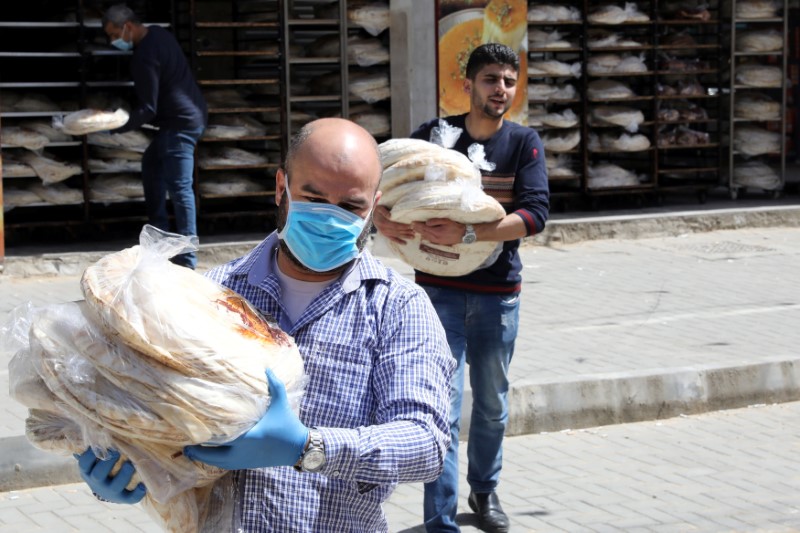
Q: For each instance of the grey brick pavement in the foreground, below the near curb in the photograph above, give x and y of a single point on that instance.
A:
(726, 471)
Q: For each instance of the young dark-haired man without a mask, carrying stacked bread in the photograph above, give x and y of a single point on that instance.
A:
(480, 310)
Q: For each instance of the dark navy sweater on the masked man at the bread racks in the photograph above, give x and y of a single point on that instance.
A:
(168, 95)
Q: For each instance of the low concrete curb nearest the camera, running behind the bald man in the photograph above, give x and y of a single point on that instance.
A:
(585, 401)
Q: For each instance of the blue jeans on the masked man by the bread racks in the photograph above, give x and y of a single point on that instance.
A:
(168, 167)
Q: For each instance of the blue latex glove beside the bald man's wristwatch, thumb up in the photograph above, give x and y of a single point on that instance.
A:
(278, 439)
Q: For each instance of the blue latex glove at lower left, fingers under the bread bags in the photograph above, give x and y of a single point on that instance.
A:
(97, 474)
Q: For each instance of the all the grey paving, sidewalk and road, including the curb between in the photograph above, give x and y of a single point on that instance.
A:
(612, 331)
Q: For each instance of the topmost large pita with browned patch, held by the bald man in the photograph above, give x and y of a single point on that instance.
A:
(186, 321)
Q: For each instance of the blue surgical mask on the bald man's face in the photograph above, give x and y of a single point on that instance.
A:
(321, 236)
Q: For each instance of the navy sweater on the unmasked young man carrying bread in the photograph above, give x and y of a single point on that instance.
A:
(518, 182)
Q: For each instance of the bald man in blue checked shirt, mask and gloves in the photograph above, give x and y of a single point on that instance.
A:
(375, 408)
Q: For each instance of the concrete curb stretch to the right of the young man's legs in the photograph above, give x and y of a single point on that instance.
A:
(619, 398)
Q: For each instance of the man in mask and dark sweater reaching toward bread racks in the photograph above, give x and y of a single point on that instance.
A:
(169, 98)
